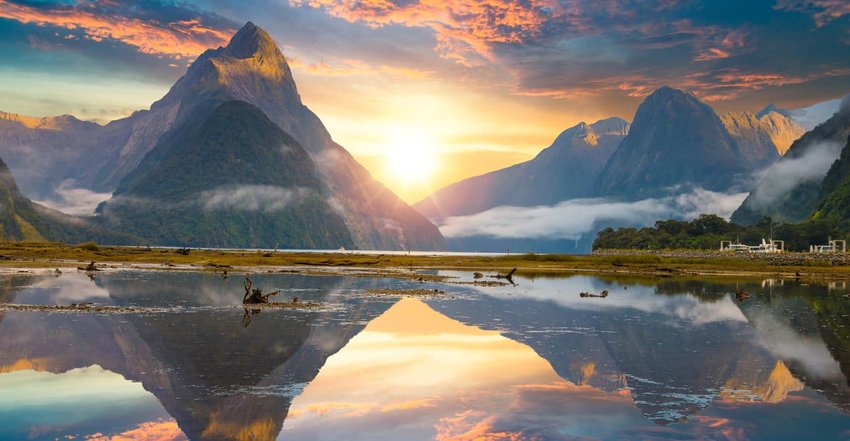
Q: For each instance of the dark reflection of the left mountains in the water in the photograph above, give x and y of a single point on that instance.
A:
(217, 379)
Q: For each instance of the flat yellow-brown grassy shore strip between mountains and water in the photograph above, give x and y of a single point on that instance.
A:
(657, 264)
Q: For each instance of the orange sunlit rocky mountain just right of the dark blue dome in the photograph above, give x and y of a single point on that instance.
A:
(765, 136)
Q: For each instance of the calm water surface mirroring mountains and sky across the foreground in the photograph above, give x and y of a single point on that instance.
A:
(658, 359)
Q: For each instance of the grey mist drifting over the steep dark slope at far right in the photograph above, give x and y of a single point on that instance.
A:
(787, 173)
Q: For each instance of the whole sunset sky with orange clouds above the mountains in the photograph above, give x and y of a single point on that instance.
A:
(457, 88)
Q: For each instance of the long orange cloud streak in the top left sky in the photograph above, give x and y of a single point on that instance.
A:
(186, 38)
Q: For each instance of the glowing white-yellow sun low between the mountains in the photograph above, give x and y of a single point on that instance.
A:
(412, 158)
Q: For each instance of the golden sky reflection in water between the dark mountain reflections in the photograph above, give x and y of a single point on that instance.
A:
(420, 374)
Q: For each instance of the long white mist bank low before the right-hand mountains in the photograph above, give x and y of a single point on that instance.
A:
(574, 218)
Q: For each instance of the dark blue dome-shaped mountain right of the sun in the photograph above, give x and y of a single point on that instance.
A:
(675, 140)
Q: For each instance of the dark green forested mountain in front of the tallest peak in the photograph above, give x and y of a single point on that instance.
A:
(231, 178)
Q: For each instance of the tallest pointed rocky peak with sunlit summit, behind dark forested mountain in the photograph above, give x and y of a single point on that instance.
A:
(252, 69)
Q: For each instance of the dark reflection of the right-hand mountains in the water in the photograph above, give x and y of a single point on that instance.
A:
(677, 352)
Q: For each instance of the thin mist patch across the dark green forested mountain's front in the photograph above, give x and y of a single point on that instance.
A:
(265, 198)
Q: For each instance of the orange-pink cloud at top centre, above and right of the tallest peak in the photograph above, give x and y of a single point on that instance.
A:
(465, 30)
